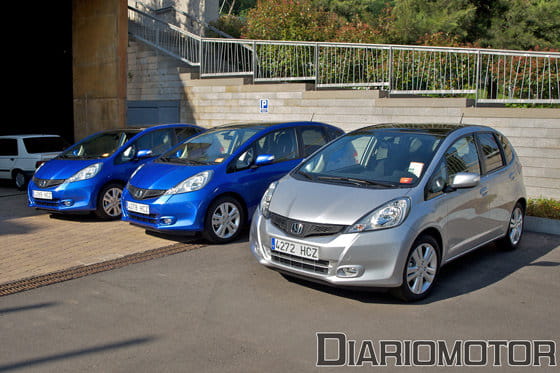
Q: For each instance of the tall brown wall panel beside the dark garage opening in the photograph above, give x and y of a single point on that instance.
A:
(99, 53)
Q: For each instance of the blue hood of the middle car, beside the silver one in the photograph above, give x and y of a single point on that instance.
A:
(155, 175)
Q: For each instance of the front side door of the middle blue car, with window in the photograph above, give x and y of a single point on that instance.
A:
(251, 181)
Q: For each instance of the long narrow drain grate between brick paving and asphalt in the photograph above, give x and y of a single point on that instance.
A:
(81, 271)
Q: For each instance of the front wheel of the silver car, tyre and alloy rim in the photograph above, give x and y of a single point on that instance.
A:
(420, 271)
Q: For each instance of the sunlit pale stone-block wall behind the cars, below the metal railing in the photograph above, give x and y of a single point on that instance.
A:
(535, 133)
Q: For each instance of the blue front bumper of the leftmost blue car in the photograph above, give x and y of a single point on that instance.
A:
(78, 196)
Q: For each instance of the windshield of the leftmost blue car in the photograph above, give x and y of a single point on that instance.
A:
(101, 145)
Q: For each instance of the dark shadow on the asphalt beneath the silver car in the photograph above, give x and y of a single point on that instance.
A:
(469, 273)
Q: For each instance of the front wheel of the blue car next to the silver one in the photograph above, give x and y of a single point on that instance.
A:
(224, 221)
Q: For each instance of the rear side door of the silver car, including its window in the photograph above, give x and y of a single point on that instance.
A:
(498, 181)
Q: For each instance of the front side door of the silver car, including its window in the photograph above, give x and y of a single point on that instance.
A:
(465, 225)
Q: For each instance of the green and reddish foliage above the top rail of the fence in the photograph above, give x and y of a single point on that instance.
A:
(509, 24)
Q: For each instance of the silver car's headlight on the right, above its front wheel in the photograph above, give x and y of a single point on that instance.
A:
(389, 215)
